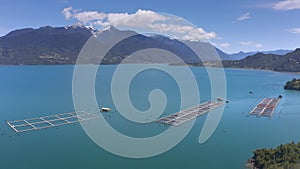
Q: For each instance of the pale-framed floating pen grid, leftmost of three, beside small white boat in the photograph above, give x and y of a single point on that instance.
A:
(49, 121)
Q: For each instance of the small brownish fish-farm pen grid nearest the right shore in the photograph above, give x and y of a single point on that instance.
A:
(266, 107)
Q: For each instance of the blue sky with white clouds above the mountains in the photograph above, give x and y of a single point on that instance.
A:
(231, 25)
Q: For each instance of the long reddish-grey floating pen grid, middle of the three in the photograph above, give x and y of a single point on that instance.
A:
(190, 113)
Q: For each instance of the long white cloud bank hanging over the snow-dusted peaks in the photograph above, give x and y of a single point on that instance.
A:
(141, 19)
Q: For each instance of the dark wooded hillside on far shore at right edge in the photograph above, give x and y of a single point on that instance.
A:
(289, 62)
